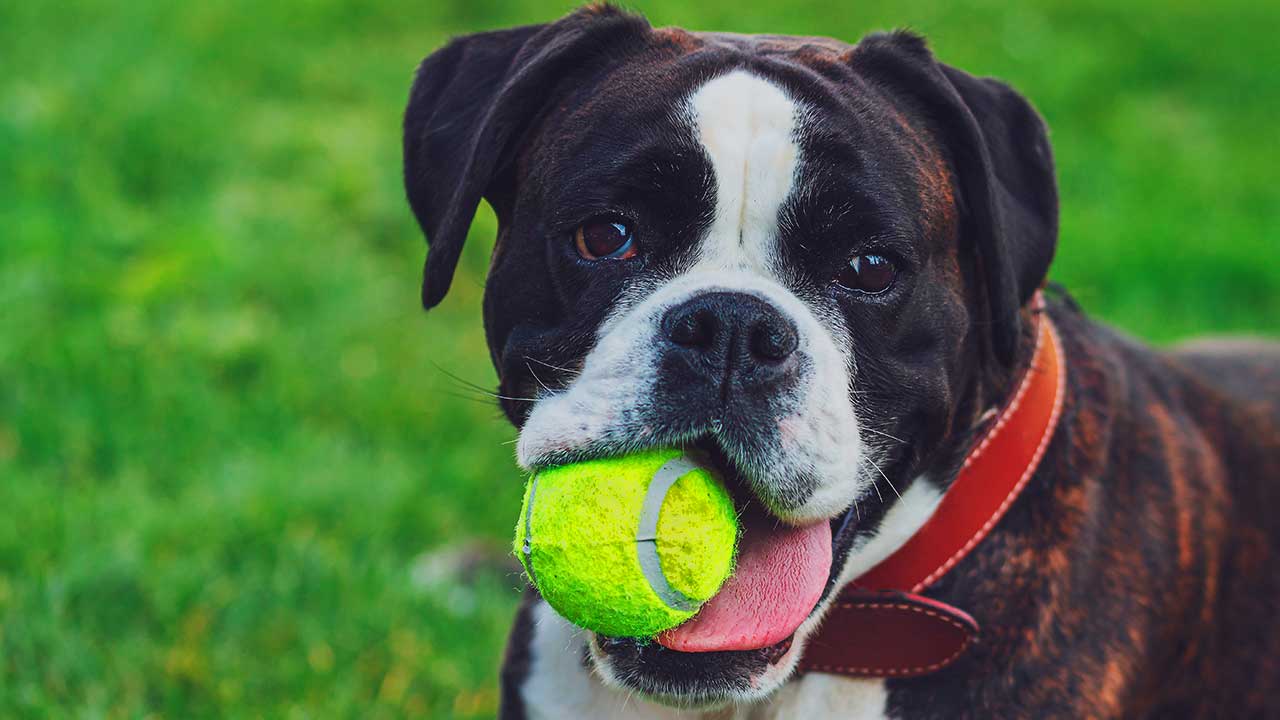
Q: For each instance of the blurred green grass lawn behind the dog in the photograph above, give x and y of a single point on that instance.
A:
(236, 479)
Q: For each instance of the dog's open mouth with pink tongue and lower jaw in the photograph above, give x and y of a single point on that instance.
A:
(781, 577)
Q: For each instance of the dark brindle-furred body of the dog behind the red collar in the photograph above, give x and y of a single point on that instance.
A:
(1139, 575)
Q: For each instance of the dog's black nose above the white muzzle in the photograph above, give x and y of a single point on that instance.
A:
(738, 338)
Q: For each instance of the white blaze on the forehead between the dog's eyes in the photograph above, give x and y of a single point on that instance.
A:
(747, 127)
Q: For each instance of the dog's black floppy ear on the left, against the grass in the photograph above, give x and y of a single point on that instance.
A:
(472, 106)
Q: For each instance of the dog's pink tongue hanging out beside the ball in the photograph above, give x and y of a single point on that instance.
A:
(779, 580)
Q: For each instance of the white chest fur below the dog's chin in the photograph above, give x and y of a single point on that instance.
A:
(560, 685)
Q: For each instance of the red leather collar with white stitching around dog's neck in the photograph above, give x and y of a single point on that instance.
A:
(881, 626)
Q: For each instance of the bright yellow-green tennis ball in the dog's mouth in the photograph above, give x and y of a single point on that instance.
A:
(628, 546)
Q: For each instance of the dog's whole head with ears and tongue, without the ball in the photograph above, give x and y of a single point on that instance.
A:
(799, 259)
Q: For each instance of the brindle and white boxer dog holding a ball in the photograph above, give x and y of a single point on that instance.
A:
(820, 268)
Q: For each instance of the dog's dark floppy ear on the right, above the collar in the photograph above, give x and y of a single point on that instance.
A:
(1004, 168)
